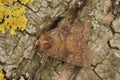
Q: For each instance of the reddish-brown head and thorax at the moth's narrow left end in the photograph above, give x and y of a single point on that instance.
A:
(44, 43)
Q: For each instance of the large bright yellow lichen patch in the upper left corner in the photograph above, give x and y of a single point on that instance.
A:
(12, 16)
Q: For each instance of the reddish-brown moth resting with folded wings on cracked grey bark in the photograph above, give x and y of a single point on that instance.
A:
(69, 44)
